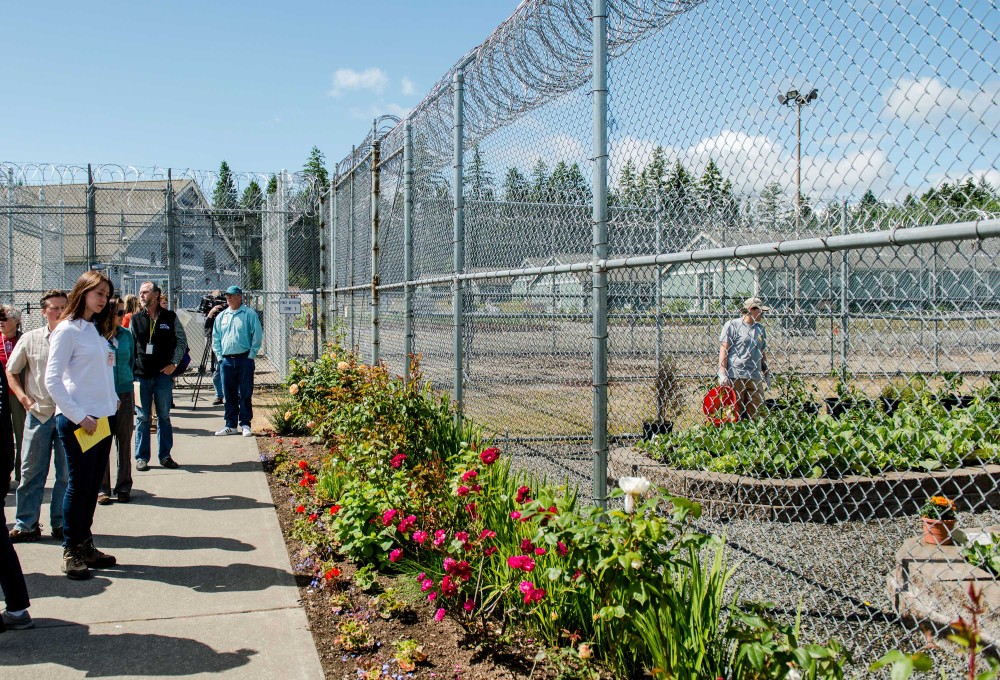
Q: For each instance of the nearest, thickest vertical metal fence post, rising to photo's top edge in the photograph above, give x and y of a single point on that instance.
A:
(600, 244)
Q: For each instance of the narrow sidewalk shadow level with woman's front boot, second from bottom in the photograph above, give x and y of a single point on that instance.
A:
(206, 578)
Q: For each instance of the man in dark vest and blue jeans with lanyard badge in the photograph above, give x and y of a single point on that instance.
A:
(159, 346)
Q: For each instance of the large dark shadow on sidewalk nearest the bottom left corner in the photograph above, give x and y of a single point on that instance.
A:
(127, 654)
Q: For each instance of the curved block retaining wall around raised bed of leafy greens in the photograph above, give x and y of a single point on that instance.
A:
(853, 497)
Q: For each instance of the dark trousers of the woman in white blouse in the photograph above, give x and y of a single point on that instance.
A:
(86, 472)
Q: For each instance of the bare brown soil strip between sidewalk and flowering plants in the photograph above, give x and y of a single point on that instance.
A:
(450, 652)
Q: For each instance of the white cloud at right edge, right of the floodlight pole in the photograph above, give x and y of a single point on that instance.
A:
(930, 102)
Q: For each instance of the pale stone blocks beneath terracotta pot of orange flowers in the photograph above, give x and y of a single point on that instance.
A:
(929, 588)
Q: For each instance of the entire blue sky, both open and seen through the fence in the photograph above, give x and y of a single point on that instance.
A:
(909, 90)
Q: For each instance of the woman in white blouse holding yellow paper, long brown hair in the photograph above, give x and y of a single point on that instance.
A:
(80, 378)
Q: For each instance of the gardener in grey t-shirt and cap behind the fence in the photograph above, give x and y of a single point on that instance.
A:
(743, 358)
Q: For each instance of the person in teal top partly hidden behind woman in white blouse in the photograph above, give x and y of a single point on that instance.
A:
(124, 344)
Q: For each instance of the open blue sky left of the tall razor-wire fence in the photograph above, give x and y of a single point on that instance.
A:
(188, 84)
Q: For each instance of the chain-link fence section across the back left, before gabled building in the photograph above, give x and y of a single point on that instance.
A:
(192, 233)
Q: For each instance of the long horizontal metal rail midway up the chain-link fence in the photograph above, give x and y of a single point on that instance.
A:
(937, 233)
